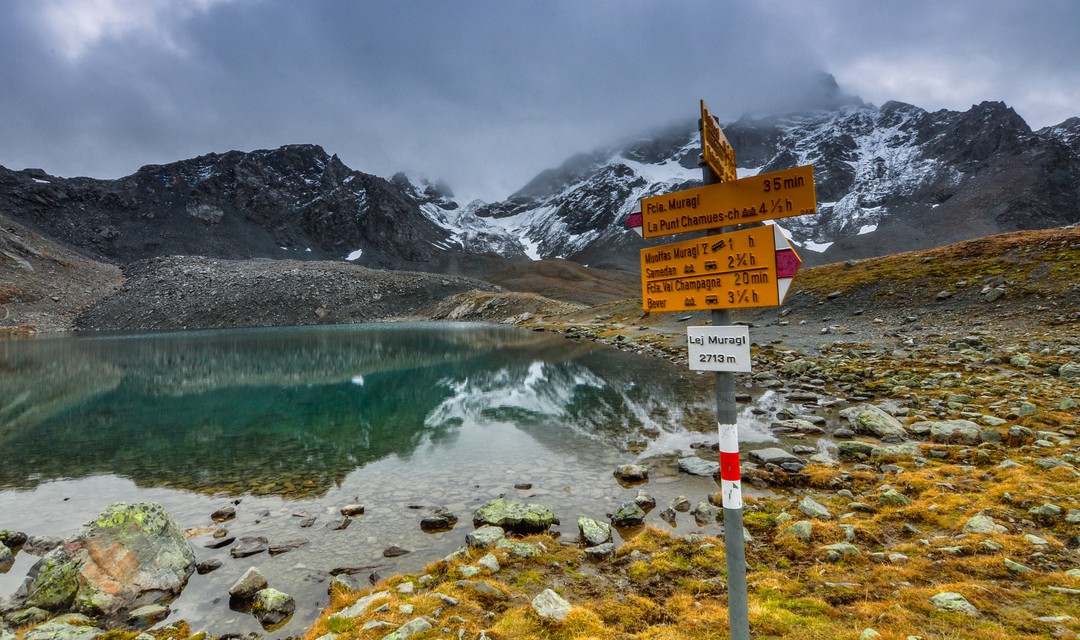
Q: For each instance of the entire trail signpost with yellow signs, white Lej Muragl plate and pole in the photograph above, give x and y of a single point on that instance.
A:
(722, 271)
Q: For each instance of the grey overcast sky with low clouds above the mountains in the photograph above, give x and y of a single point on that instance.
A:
(487, 94)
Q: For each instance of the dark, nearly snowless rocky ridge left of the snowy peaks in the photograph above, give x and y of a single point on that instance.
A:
(292, 202)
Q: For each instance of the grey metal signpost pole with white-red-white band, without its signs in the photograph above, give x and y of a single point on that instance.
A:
(735, 544)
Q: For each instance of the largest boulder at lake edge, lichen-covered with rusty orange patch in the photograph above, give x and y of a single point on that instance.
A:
(127, 554)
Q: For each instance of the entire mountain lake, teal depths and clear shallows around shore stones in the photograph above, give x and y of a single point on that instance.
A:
(307, 420)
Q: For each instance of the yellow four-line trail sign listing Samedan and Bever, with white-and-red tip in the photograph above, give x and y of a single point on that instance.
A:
(726, 271)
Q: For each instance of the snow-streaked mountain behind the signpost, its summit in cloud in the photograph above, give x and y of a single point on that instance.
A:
(888, 179)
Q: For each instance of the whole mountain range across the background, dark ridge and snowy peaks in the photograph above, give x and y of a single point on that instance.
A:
(889, 179)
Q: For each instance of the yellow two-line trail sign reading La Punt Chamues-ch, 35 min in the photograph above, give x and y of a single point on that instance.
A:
(765, 197)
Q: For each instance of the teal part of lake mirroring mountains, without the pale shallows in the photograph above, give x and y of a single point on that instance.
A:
(292, 412)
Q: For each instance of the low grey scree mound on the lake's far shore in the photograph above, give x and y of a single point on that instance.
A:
(191, 292)
